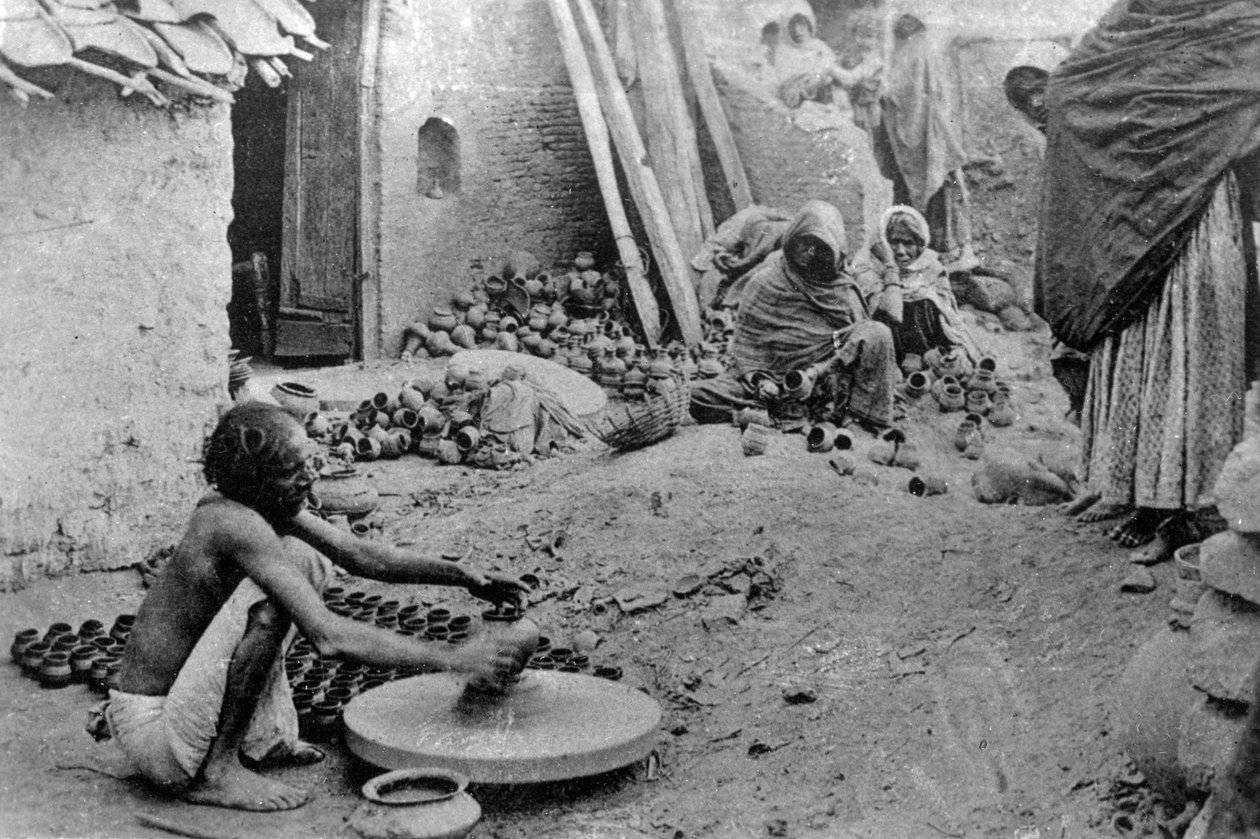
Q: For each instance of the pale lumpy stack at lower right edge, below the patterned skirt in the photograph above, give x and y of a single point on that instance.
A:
(1185, 696)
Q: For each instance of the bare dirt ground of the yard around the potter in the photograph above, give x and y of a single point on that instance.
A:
(962, 654)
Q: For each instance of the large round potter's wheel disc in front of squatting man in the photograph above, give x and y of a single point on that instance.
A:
(550, 728)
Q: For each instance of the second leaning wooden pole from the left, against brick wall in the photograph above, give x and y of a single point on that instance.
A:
(676, 273)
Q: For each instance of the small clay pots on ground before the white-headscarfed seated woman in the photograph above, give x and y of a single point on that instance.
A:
(957, 385)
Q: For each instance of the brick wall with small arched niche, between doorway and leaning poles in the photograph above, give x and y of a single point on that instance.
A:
(496, 71)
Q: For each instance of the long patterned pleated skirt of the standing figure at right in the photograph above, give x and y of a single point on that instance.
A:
(1165, 401)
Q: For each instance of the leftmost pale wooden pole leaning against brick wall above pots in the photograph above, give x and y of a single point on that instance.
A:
(602, 153)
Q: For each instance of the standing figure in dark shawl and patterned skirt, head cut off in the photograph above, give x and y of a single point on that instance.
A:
(1146, 259)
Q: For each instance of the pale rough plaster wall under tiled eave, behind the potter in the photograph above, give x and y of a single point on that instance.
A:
(115, 275)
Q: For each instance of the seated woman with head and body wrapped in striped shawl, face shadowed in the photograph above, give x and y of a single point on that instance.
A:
(803, 313)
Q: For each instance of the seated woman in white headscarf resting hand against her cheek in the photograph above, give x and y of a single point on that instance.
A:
(917, 300)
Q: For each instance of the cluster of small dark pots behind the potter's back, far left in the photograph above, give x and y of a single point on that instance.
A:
(62, 656)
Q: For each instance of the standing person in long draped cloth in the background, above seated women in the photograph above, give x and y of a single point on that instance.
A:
(919, 146)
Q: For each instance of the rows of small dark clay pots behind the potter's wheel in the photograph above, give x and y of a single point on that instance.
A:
(323, 686)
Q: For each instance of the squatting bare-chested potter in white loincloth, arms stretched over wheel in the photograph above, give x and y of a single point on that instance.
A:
(202, 685)
